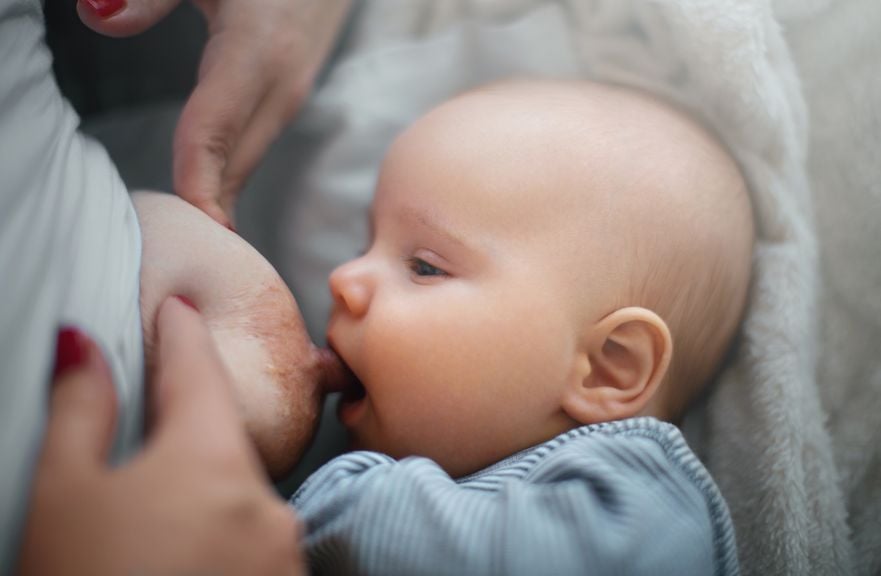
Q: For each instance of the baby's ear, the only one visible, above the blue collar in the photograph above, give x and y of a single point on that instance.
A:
(624, 360)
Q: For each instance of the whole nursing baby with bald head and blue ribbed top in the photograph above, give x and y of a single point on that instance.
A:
(554, 269)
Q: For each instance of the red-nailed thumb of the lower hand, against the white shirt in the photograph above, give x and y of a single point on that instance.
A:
(82, 412)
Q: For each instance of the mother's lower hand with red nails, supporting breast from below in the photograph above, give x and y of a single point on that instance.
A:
(193, 502)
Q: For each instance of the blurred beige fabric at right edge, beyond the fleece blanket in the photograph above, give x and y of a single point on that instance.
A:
(837, 48)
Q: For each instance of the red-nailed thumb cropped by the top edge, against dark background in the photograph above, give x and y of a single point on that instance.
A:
(123, 17)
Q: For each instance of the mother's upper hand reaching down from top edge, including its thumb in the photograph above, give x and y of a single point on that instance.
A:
(257, 69)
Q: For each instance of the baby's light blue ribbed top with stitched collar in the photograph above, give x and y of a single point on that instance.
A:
(622, 497)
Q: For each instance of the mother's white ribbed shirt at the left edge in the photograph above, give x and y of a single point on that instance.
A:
(70, 250)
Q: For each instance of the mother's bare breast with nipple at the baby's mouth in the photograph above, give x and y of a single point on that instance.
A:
(278, 374)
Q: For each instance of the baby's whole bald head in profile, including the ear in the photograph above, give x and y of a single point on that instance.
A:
(543, 255)
